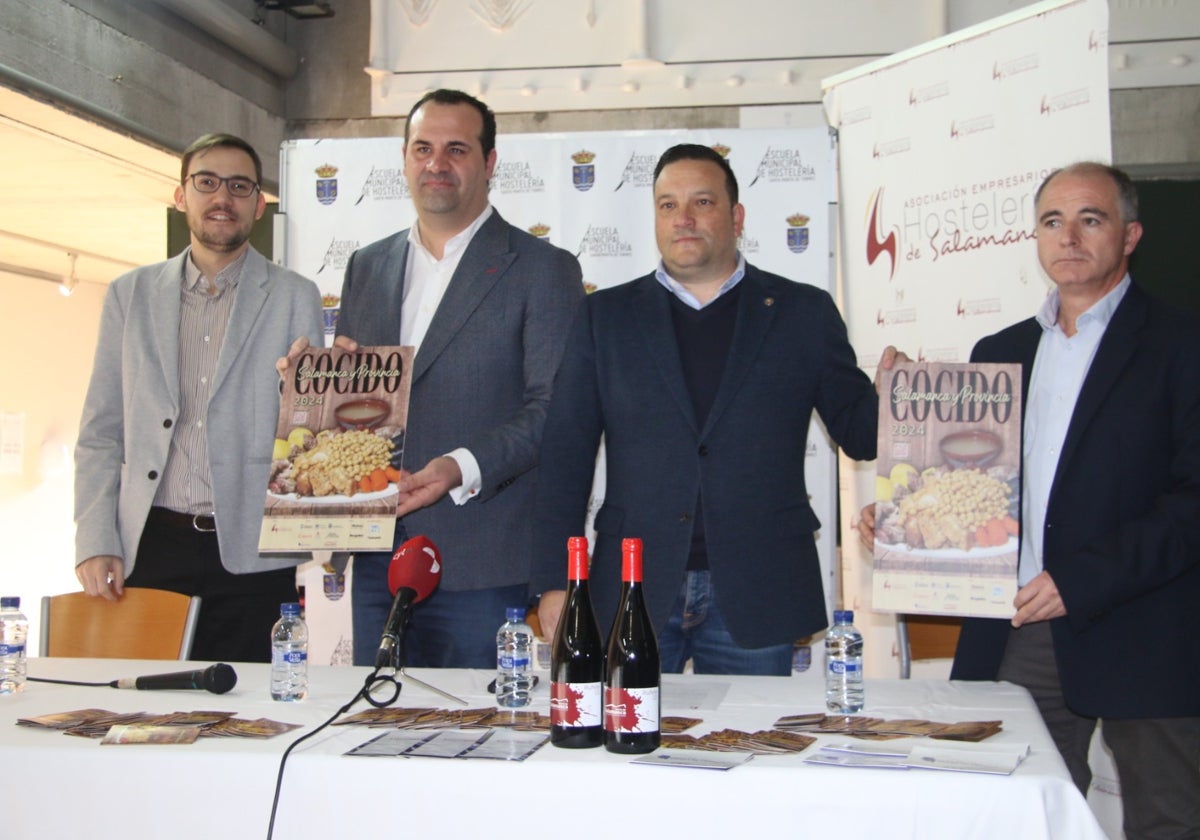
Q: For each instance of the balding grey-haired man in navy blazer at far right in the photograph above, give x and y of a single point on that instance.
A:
(1108, 615)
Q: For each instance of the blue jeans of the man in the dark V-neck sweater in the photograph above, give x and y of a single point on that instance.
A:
(697, 632)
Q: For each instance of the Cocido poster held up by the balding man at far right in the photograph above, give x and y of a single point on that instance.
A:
(947, 511)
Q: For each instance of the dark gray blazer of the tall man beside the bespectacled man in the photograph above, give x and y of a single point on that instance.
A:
(482, 381)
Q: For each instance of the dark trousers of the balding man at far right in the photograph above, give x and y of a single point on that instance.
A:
(1157, 760)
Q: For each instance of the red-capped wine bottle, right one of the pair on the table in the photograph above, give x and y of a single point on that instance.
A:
(633, 676)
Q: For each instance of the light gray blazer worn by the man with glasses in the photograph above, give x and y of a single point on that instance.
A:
(133, 405)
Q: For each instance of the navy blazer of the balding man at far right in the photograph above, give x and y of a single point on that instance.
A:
(1123, 533)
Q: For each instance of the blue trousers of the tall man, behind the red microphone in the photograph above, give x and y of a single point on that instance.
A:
(448, 629)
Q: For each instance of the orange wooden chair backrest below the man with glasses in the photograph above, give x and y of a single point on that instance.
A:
(143, 625)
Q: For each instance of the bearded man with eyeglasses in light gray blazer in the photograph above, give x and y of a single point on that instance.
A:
(179, 421)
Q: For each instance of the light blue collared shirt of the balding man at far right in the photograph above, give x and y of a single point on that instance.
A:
(1059, 371)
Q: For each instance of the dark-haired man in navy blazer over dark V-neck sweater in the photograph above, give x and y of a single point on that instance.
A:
(703, 379)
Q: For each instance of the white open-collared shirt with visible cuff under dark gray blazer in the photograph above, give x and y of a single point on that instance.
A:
(427, 280)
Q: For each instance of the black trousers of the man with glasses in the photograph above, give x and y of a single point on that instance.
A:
(237, 611)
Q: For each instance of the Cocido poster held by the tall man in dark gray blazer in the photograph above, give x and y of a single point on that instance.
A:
(339, 449)
